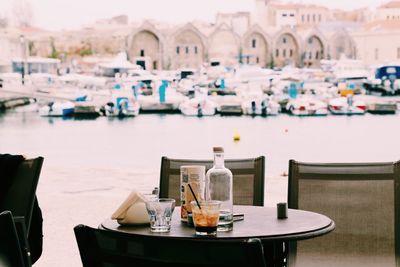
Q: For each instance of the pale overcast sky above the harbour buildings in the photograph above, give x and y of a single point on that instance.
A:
(68, 14)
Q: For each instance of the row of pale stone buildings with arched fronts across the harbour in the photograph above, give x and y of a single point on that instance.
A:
(274, 35)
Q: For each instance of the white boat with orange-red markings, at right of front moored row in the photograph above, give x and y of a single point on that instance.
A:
(347, 106)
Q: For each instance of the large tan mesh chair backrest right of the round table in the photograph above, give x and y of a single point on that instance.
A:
(363, 199)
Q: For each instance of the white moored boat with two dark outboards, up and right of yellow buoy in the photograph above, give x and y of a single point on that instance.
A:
(260, 107)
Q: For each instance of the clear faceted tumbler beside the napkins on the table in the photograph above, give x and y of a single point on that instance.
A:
(160, 213)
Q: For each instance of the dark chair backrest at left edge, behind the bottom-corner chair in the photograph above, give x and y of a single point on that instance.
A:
(20, 197)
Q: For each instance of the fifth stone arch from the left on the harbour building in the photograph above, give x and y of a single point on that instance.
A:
(286, 50)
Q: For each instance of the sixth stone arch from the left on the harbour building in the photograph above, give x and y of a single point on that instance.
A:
(313, 52)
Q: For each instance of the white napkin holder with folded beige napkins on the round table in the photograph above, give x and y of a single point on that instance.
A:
(132, 211)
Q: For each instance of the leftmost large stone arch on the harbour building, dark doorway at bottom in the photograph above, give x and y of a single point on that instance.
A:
(146, 46)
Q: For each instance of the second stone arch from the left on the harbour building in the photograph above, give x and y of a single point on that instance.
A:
(188, 50)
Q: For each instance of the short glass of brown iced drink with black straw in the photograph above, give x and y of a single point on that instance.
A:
(206, 217)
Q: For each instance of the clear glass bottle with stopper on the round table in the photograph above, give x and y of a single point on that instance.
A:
(219, 187)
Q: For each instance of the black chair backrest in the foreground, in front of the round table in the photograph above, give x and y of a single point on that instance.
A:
(100, 247)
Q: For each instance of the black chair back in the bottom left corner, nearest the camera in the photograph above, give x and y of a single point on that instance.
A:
(10, 250)
